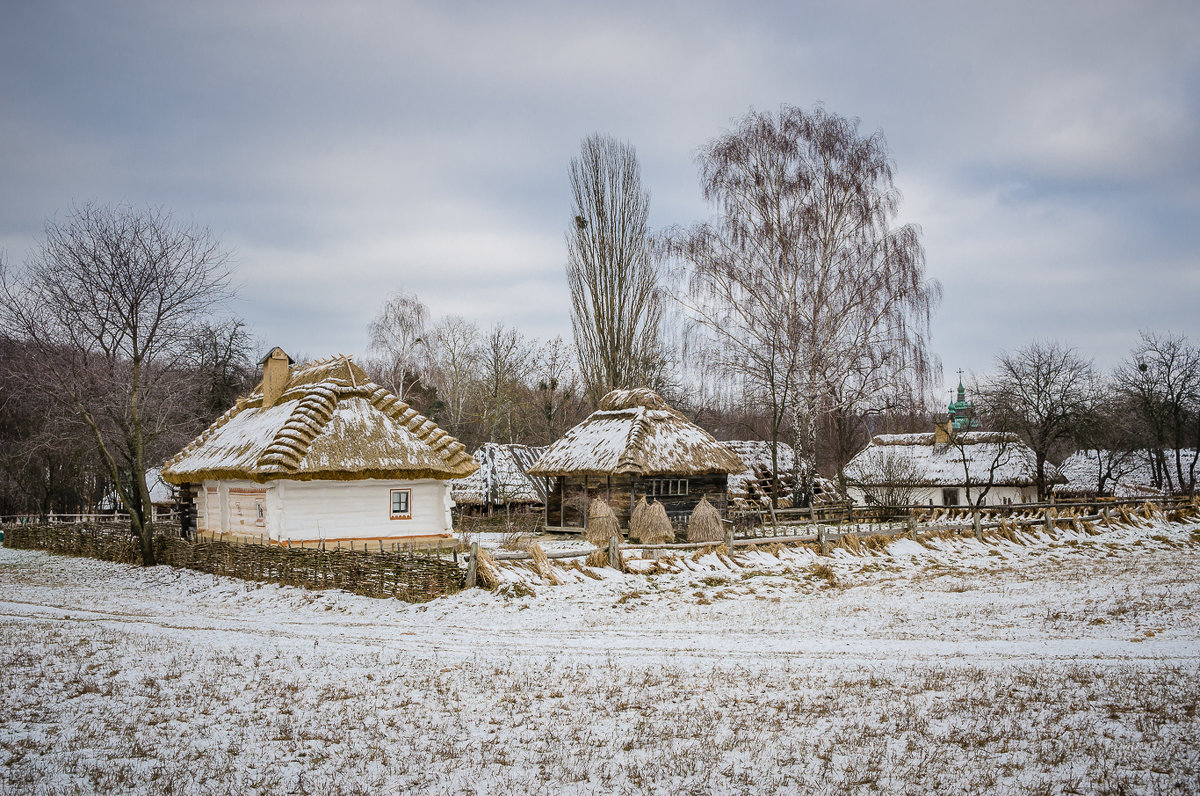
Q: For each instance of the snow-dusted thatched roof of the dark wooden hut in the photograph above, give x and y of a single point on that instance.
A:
(637, 433)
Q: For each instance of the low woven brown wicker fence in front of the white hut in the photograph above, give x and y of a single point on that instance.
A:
(415, 577)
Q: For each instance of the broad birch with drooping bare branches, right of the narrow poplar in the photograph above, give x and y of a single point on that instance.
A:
(817, 297)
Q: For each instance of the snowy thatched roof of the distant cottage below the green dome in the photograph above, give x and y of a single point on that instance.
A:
(920, 460)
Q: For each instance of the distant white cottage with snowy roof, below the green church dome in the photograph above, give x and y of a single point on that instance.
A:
(931, 470)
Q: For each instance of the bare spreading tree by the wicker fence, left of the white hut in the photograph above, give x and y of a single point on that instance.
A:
(112, 301)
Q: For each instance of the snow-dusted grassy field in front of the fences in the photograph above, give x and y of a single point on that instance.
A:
(1060, 666)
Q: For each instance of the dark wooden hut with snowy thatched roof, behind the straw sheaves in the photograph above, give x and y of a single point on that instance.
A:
(634, 446)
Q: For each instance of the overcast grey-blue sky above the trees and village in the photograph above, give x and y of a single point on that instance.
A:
(1051, 152)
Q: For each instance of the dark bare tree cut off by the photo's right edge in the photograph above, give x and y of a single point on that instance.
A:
(1162, 376)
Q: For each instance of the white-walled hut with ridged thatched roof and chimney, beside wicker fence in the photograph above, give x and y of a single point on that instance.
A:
(321, 454)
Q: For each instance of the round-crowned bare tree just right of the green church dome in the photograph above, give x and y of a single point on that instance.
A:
(1043, 393)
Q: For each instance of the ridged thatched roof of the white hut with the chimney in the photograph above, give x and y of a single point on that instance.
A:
(331, 423)
